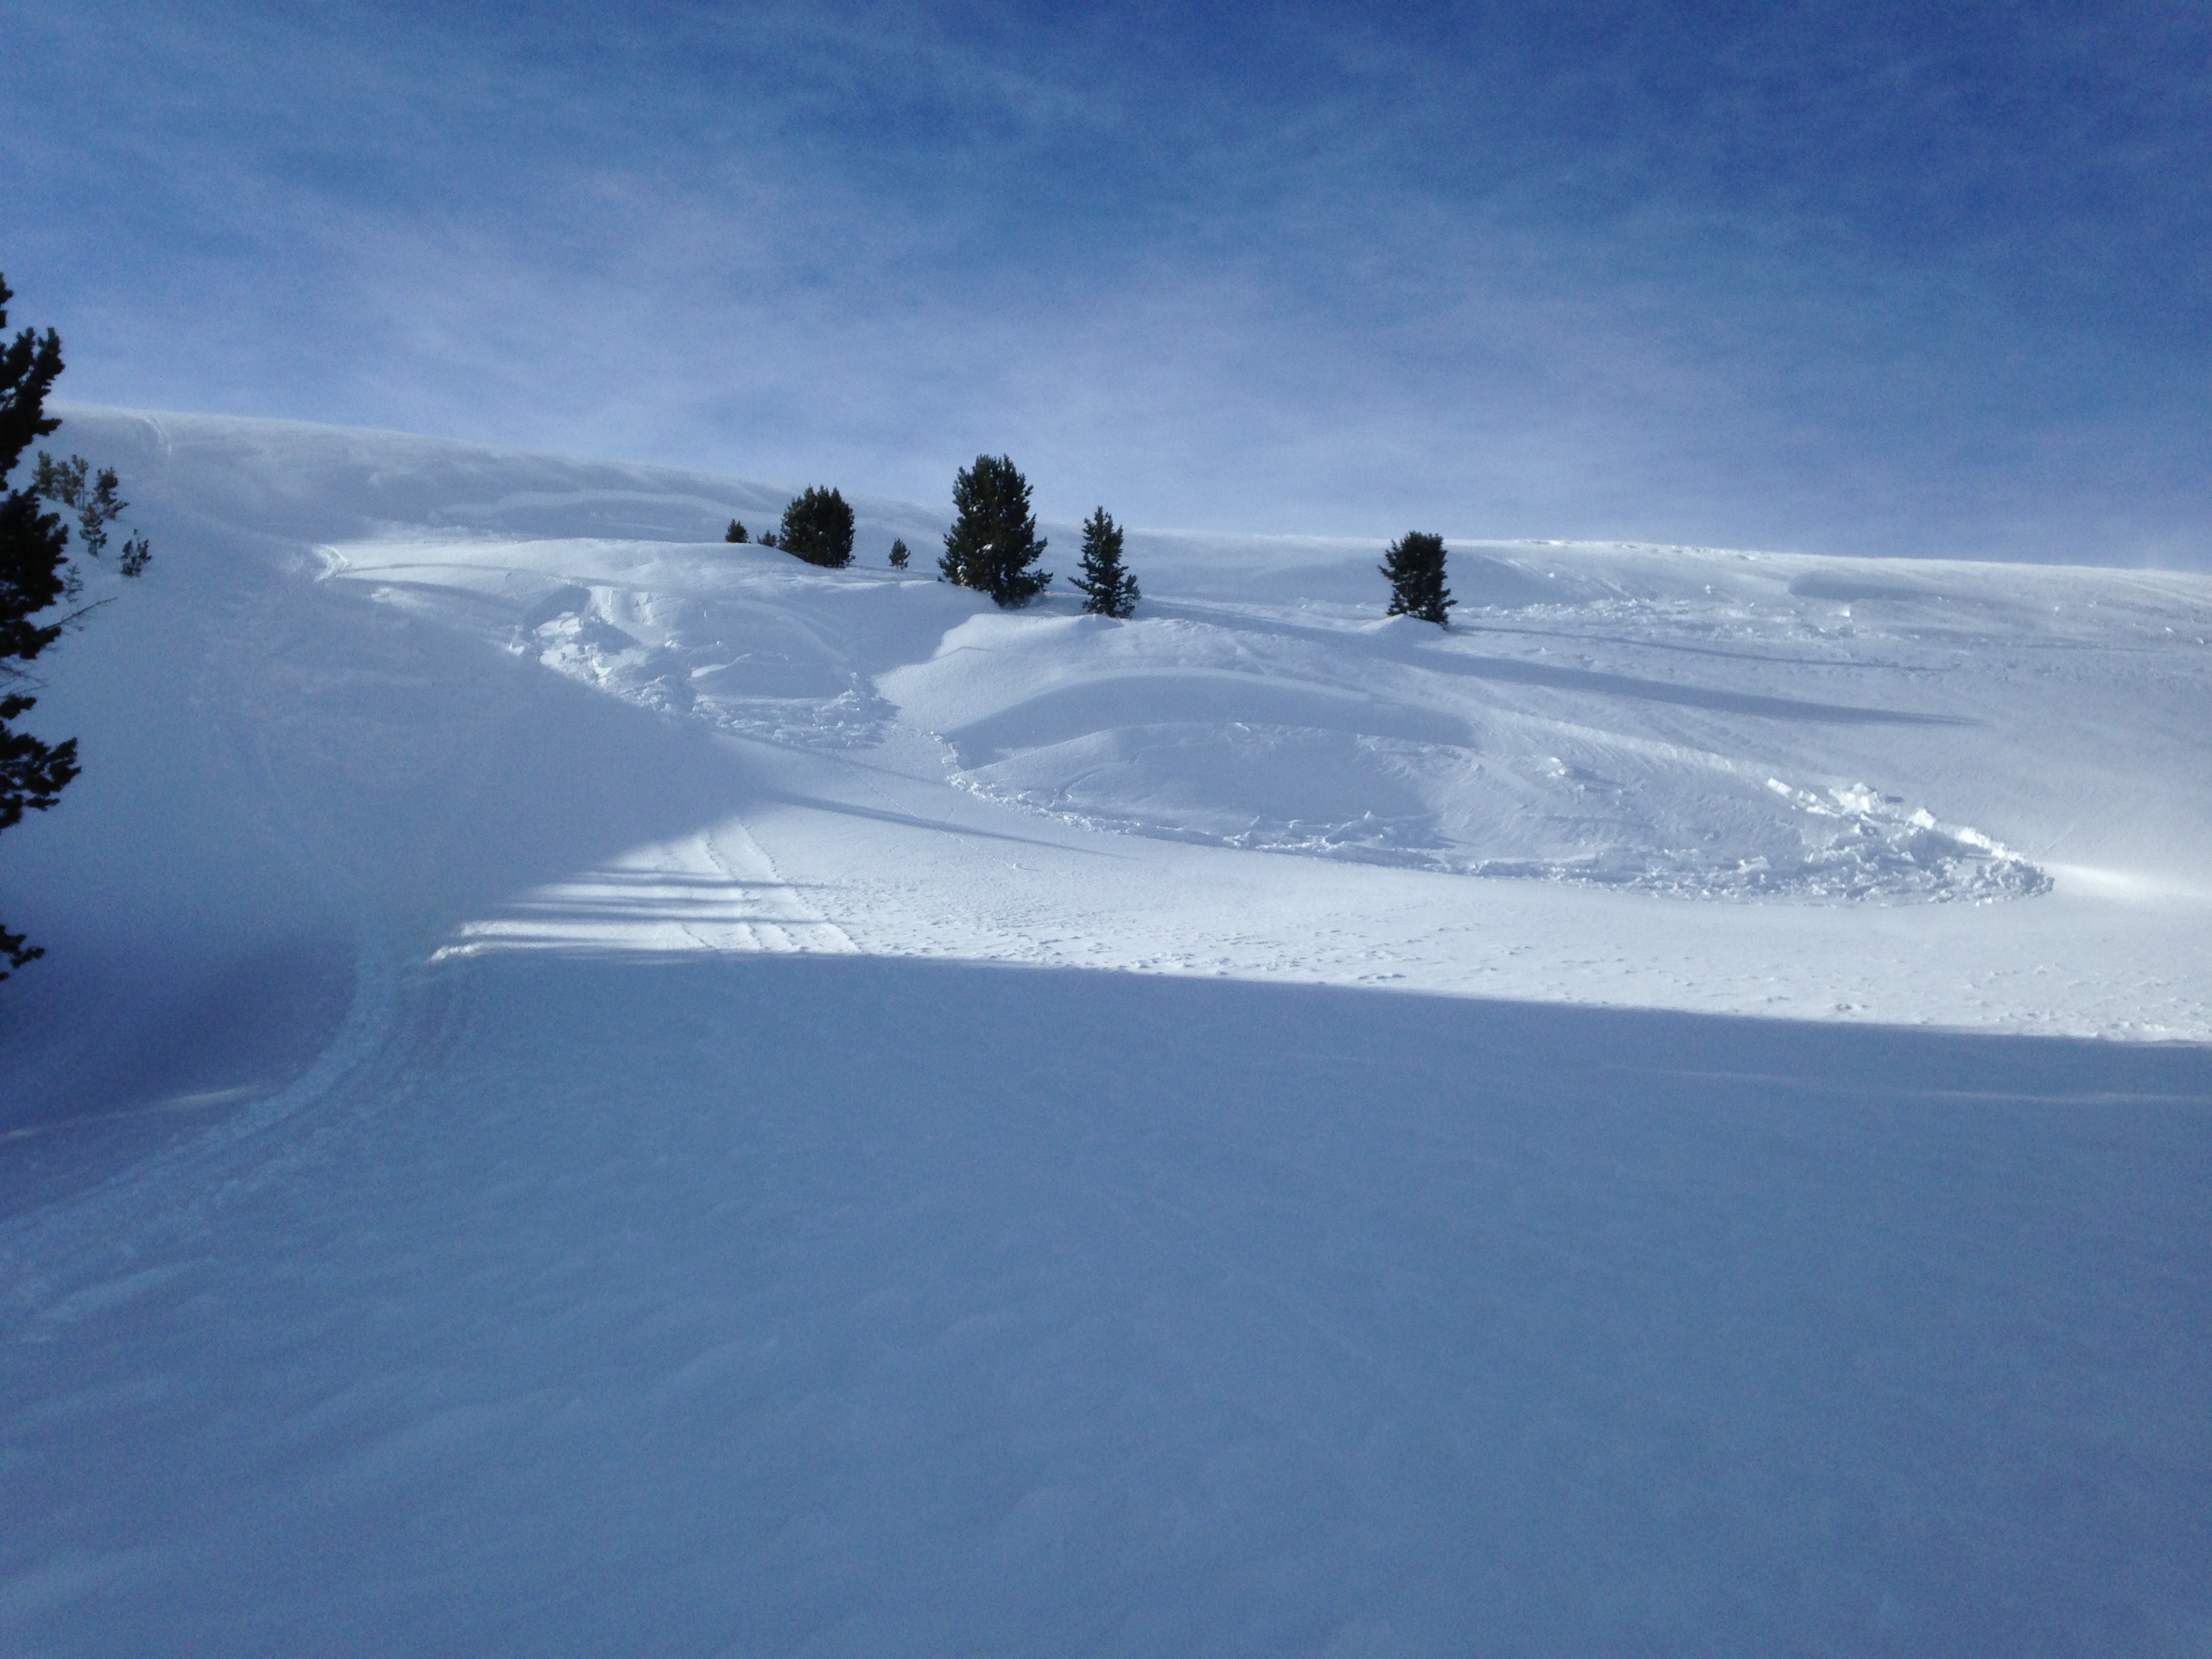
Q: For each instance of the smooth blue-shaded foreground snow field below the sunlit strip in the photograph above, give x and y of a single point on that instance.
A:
(870, 1306)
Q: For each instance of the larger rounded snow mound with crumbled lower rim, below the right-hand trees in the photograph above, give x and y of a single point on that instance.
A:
(1410, 747)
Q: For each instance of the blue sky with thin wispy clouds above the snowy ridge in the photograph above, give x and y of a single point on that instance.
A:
(1830, 278)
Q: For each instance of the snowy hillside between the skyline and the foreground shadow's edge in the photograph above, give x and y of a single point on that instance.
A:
(459, 700)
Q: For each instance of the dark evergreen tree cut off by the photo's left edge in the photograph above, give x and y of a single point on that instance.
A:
(36, 574)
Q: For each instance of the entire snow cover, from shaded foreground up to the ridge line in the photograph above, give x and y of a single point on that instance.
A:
(601, 1092)
